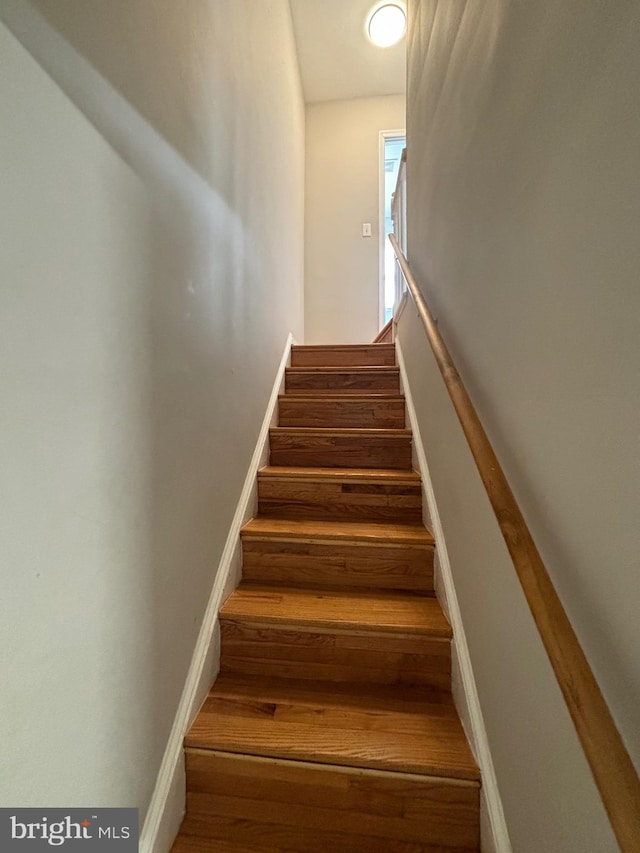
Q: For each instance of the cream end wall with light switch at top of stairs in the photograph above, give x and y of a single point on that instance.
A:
(342, 192)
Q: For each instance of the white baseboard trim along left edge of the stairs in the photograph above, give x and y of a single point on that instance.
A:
(166, 808)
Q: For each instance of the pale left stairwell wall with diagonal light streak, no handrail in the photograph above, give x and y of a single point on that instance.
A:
(151, 233)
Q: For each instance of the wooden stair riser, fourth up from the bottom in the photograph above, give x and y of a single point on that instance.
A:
(292, 498)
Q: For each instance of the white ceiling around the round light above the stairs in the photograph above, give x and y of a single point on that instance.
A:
(337, 61)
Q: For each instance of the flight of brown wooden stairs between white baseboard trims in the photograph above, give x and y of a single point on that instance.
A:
(331, 725)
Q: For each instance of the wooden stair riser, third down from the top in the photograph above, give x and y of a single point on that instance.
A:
(373, 414)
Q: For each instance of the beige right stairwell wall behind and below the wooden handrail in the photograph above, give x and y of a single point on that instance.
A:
(524, 199)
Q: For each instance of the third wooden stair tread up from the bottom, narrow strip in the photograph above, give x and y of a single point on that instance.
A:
(413, 535)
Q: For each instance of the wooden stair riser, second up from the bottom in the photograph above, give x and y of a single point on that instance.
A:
(287, 652)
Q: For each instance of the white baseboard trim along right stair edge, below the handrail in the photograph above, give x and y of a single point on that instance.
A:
(495, 834)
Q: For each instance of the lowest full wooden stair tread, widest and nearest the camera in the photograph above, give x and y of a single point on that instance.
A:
(394, 730)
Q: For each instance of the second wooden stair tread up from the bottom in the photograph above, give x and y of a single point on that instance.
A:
(336, 609)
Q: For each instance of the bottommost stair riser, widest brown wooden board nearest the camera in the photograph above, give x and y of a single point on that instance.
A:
(288, 806)
